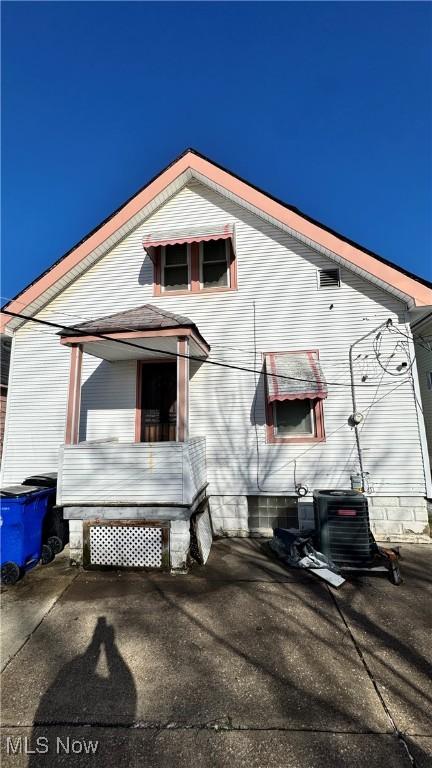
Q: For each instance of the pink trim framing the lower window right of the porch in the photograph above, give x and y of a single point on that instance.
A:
(317, 405)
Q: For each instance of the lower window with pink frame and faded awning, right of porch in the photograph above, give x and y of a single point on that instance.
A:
(295, 390)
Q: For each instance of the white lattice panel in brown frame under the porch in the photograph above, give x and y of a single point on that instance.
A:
(131, 546)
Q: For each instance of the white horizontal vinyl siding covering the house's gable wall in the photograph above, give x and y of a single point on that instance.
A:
(277, 307)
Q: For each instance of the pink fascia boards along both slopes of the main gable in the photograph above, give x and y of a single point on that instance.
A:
(421, 294)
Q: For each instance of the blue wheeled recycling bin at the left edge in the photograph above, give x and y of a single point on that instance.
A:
(23, 509)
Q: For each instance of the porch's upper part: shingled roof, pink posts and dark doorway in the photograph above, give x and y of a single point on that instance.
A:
(152, 338)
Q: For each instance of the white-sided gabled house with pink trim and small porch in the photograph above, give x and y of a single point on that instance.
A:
(207, 341)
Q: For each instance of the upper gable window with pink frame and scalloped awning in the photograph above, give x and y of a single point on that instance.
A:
(193, 261)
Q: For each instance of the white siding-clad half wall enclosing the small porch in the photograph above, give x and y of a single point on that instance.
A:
(131, 473)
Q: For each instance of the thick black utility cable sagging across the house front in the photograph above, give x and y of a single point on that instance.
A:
(195, 358)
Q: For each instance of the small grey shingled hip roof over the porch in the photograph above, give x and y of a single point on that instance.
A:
(147, 330)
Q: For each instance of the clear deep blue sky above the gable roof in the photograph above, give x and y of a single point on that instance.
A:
(325, 105)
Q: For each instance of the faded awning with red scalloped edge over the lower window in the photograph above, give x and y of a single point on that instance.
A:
(294, 376)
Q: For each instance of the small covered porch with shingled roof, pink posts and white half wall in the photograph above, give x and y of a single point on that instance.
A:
(159, 477)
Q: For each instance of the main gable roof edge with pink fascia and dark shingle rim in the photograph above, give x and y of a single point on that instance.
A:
(415, 291)
